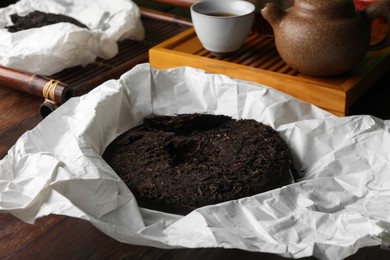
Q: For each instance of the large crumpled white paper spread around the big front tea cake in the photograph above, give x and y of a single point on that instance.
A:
(341, 204)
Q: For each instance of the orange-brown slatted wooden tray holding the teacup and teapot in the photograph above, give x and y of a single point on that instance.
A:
(258, 61)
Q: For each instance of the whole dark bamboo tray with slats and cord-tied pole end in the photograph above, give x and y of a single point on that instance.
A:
(57, 88)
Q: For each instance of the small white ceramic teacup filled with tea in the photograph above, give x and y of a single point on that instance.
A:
(222, 26)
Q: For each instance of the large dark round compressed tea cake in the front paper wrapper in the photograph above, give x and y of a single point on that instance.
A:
(179, 163)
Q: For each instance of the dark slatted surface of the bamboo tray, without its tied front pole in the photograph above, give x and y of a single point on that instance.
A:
(158, 27)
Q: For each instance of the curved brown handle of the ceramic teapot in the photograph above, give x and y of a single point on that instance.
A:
(377, 9)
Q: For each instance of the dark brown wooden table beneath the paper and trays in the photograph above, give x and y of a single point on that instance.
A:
(63, 237)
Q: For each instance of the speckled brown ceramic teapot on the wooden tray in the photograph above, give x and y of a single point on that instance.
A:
(324, 38)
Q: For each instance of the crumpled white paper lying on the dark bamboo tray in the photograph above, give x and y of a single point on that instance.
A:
(50, 49)
